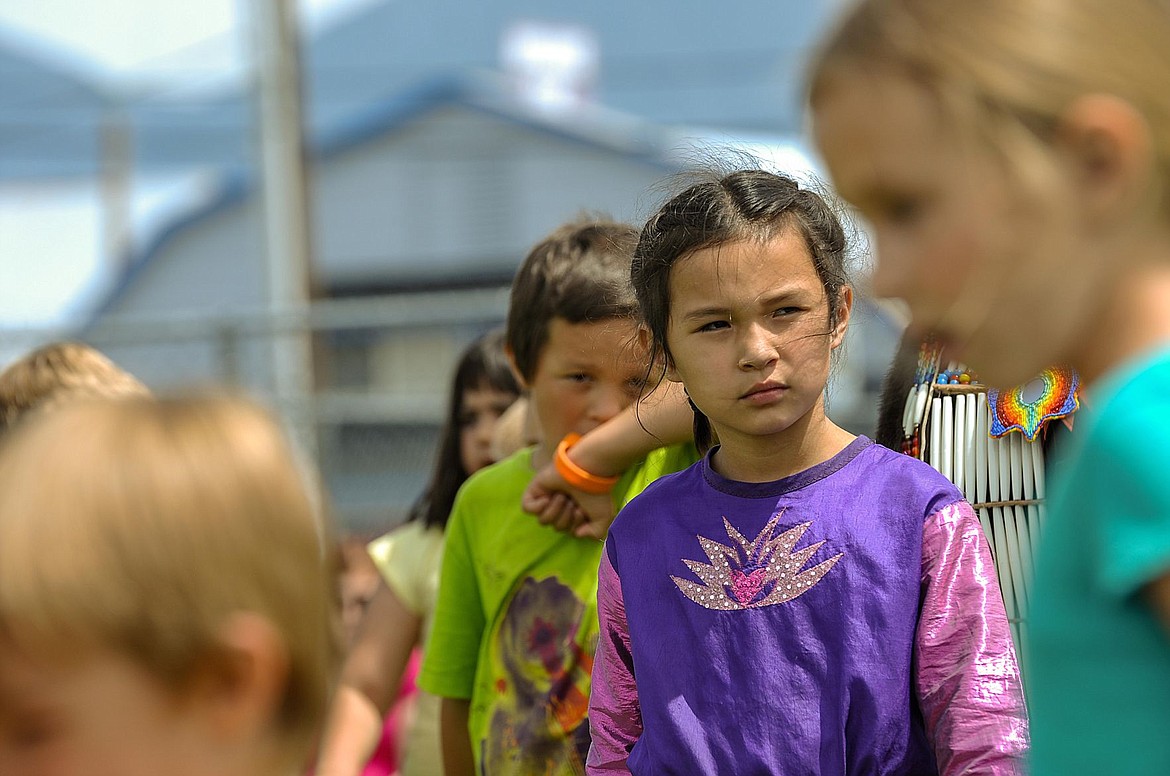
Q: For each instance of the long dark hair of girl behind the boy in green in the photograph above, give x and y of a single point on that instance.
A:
(484, 366)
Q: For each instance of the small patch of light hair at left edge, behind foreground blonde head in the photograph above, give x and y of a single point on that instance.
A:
(57, 373)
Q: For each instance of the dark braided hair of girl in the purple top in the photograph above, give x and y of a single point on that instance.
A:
(744, 205)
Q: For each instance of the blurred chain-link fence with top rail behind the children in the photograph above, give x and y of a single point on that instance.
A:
(371, 408)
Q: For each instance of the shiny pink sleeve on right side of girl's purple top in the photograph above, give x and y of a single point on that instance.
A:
(968, 679)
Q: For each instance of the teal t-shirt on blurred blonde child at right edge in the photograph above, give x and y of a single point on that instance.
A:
(1100, 658)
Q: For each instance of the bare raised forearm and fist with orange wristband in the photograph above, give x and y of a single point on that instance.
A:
(663, 417)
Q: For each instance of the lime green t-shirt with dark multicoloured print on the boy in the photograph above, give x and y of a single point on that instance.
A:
(515, 629)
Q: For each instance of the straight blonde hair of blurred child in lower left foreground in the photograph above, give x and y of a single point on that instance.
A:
(142, 526)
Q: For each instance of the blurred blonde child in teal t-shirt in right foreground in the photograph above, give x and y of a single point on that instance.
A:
(1014, 161)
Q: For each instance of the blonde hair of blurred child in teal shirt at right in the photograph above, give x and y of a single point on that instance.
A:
(1009, 70)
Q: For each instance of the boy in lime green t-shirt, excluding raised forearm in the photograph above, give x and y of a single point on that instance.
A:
(515, 629)
